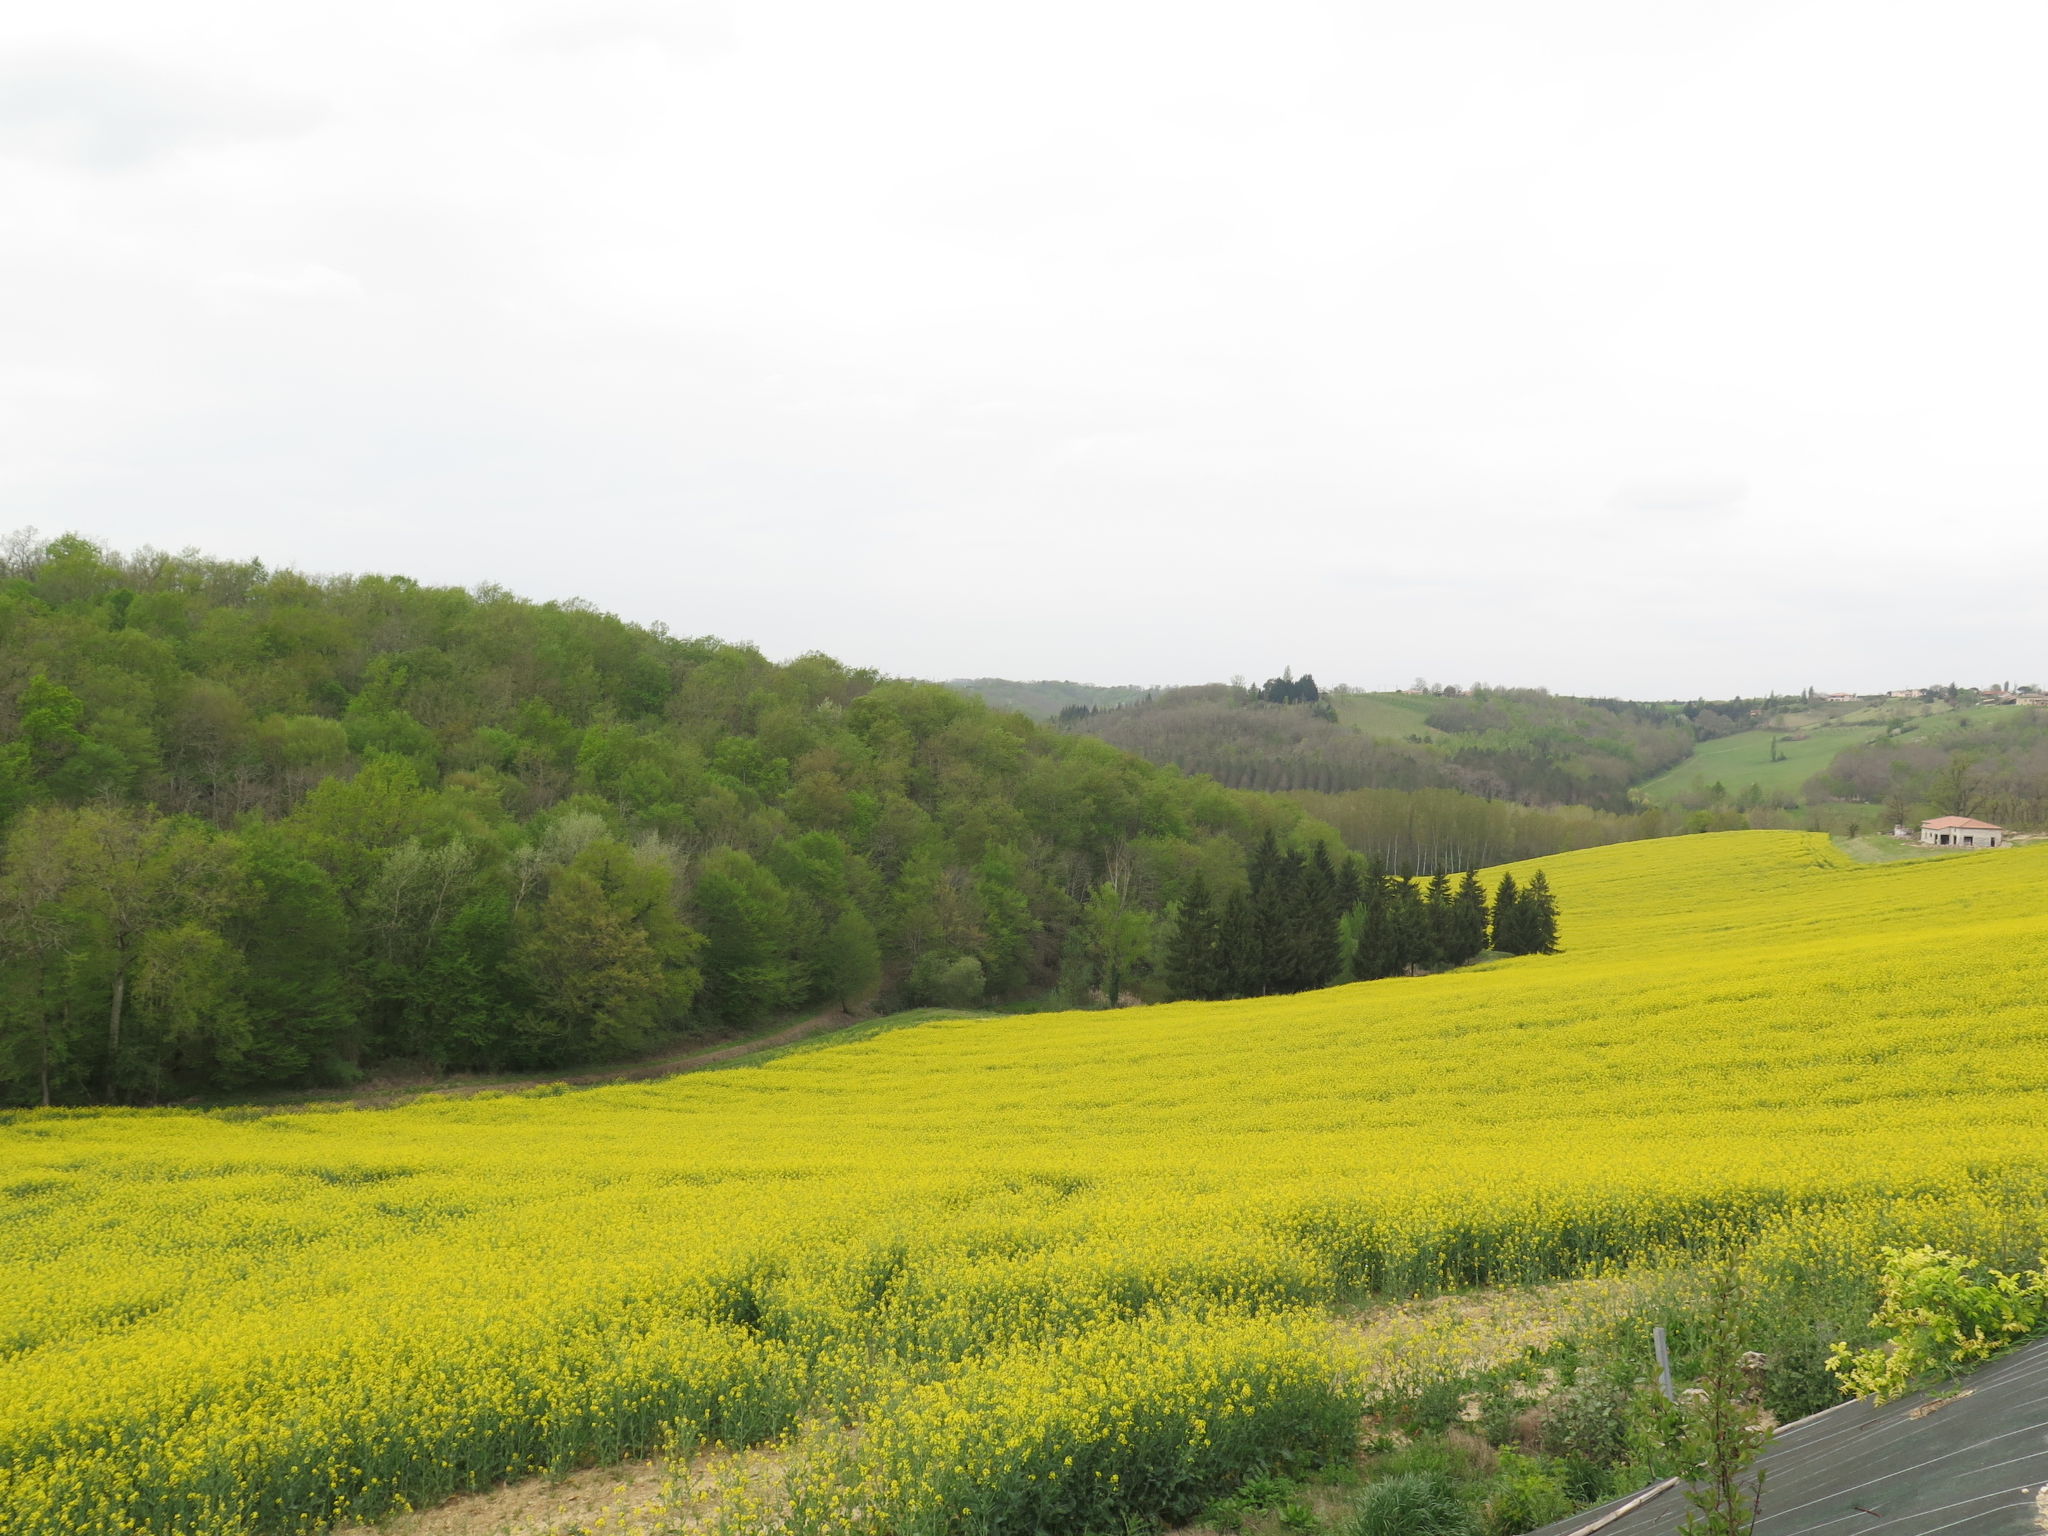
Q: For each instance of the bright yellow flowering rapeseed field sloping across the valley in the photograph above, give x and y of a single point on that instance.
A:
(1056, 1267)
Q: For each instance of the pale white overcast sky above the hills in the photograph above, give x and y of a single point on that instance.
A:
(1652, 347)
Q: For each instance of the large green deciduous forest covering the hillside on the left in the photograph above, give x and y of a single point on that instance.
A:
(269, 830)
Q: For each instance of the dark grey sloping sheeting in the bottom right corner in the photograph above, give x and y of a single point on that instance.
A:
(1965, 1459)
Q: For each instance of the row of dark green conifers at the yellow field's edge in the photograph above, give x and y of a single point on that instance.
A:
(1304, 921)
